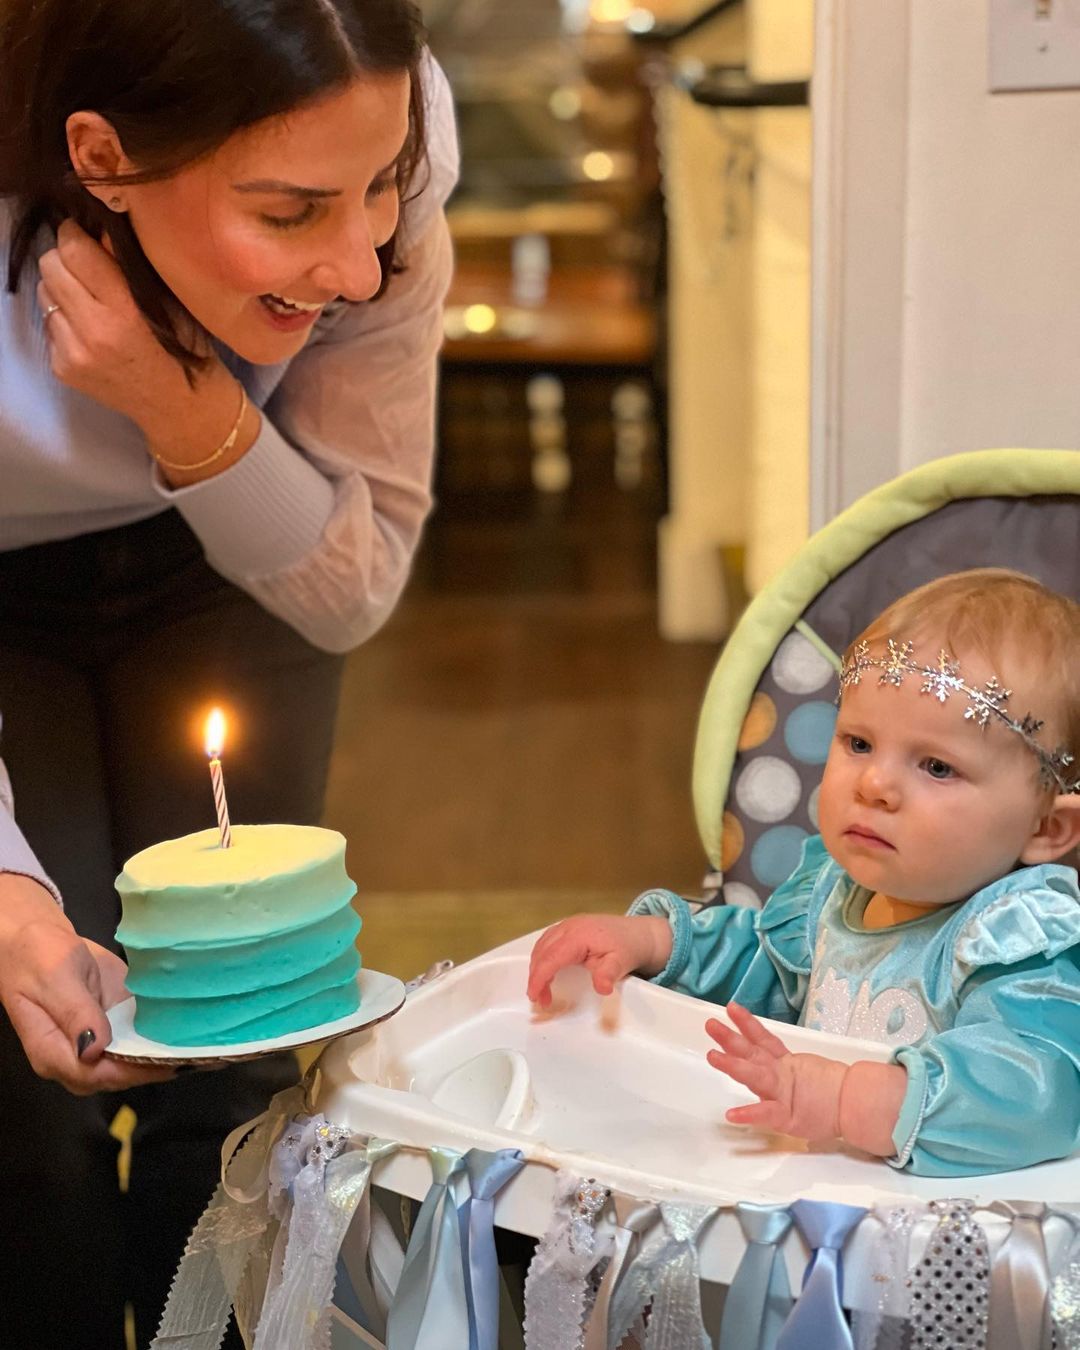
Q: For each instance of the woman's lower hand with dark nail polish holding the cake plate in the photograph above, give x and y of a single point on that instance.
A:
(56, 988)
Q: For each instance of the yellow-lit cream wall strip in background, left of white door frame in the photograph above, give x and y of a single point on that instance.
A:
(738, 187)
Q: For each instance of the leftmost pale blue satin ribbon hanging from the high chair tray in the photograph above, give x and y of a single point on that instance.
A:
(431, 1309)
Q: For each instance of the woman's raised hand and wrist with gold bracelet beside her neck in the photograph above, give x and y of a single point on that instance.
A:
(102, 346)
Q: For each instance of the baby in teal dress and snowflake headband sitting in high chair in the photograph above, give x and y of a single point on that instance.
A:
(932, 915)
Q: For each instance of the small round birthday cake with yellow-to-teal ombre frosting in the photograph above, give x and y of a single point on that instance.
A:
(240, 944)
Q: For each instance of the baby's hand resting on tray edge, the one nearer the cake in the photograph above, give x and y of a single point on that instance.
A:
(607, 946)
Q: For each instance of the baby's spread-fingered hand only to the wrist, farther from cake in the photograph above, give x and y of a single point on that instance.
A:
(800, 1093)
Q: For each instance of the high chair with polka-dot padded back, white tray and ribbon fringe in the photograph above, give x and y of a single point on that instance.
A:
(626, 1168)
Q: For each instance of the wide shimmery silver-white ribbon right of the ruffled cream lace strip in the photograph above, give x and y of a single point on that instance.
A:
(315, 1190)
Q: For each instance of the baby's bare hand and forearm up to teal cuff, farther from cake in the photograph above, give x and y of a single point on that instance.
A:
(807, 1096)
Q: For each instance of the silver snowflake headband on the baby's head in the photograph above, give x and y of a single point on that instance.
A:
(942, 682)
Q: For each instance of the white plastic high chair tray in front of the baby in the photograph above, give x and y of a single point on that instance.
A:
(618, 1089)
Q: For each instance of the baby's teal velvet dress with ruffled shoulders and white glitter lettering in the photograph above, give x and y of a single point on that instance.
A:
(981, 1001)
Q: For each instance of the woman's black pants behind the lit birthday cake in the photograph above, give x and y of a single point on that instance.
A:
(113, 649)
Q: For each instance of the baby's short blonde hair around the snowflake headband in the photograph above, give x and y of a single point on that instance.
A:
(997, 614)
